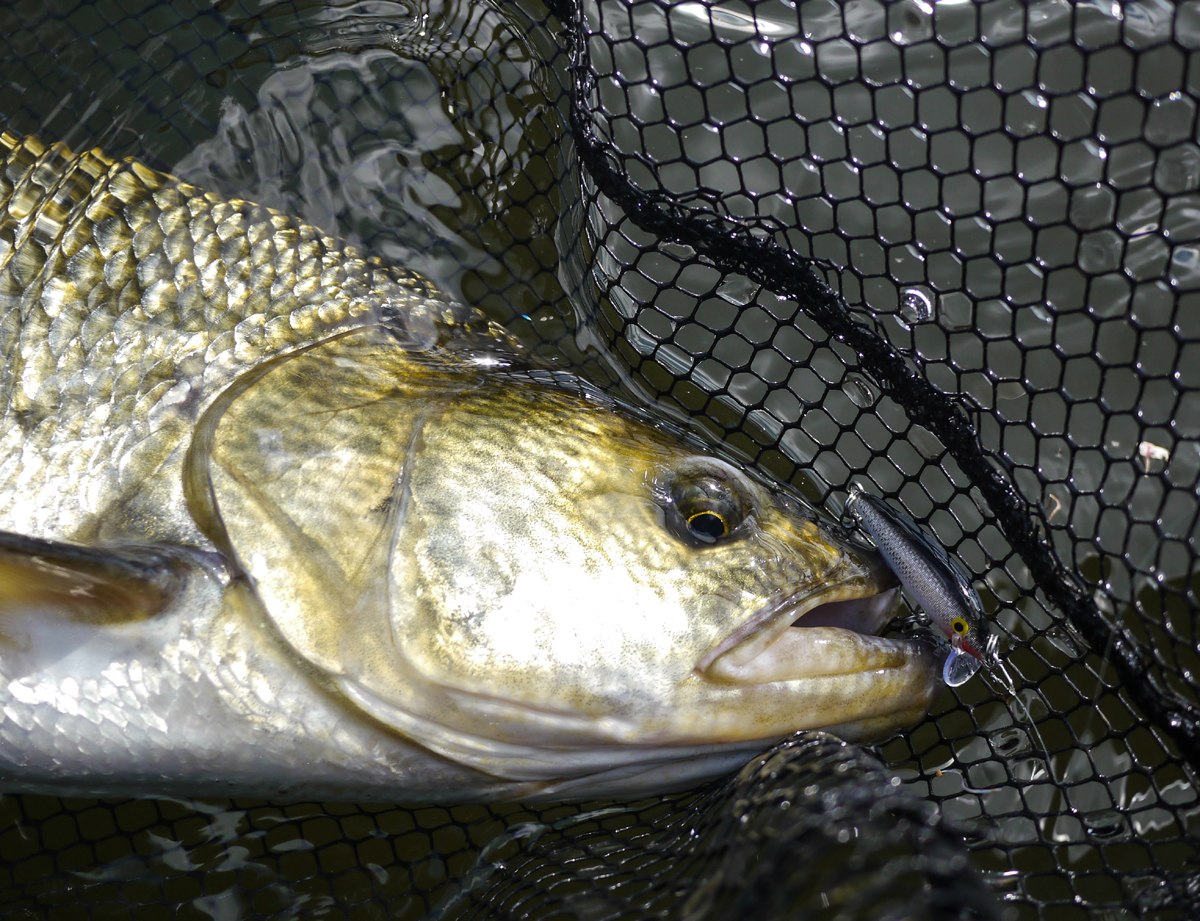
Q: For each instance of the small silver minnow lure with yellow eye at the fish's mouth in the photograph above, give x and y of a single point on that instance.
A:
(935, 581)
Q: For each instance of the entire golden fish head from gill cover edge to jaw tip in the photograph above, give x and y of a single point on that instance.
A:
(542, 585)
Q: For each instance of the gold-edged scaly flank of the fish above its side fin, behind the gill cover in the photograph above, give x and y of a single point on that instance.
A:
(118, 285)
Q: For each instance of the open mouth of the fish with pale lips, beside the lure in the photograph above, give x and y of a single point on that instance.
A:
(817, 633)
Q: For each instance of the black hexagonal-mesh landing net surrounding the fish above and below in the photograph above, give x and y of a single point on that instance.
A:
(947, 250)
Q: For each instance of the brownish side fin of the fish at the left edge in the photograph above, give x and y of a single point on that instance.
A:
(87, 585)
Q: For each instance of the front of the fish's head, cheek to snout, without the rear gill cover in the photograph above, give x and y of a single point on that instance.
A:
(580, 562)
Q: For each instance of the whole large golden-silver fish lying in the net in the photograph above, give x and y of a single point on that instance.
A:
(281, 520)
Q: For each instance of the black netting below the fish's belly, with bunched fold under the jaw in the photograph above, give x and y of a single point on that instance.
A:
(813, 828)
